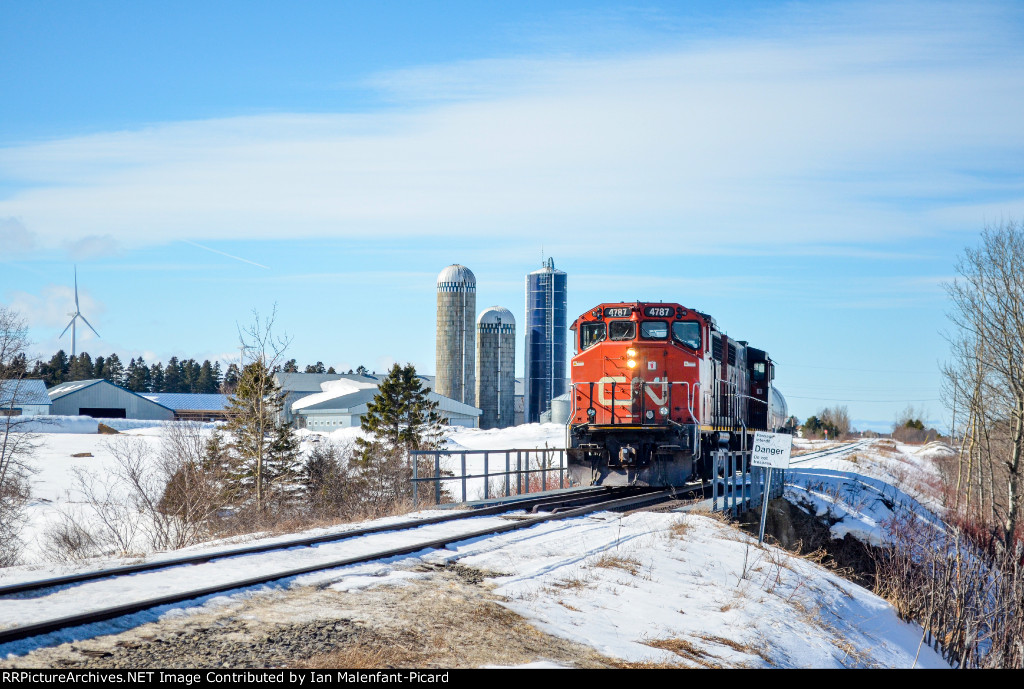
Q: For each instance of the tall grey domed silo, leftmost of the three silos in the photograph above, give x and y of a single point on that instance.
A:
(455, 357)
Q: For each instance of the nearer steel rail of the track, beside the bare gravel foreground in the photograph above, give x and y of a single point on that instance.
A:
(29, 631)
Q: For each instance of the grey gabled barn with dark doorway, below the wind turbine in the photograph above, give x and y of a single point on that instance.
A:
(102, 400)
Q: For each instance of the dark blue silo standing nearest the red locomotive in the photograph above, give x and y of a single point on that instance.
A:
(547, 333)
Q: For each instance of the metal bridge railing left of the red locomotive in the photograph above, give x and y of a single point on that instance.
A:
(526, 471)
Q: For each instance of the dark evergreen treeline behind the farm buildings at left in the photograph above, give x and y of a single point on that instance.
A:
(176, 376)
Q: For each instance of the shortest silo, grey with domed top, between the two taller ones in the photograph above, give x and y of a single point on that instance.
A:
(496, 368)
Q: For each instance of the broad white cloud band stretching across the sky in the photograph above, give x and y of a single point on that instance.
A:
(821, 139)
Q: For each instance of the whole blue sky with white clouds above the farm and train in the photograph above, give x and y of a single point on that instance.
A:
(806, 173)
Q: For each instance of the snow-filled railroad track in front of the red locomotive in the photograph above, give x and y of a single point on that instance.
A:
(107, 583)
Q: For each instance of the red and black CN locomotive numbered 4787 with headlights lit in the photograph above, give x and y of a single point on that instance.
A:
(655, 389)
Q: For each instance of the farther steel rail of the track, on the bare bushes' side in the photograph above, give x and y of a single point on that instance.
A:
(515, 504)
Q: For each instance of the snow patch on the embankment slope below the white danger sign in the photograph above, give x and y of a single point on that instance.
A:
(667, 588)
